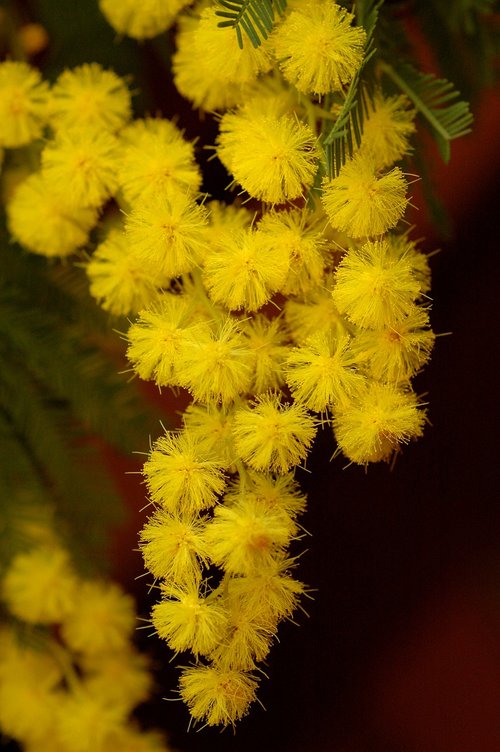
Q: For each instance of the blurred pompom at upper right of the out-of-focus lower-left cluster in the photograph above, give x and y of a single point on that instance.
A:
(102, 621)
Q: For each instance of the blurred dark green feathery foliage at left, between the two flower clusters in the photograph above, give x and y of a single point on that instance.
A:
(60, 392)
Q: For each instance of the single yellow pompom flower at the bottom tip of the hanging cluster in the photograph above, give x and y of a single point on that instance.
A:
(217, 696)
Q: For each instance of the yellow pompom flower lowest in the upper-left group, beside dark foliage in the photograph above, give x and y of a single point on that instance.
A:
(43, 222)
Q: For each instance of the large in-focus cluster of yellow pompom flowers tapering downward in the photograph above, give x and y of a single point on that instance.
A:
(308, 308)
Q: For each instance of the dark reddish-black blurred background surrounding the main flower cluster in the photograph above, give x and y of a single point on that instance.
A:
(400, 648)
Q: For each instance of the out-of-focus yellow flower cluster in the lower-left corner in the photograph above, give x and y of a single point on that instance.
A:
(70, 676)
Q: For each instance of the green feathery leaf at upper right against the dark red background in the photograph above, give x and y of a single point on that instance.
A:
(435, 100)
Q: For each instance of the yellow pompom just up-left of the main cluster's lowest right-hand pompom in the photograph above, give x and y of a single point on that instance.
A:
(321, 372)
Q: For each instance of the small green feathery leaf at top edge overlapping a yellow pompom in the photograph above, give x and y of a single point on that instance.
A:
(254, 17)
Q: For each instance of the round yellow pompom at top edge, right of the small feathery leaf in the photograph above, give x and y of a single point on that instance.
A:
(318, 48)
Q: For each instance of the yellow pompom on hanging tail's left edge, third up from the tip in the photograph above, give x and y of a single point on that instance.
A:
(173, 546)
